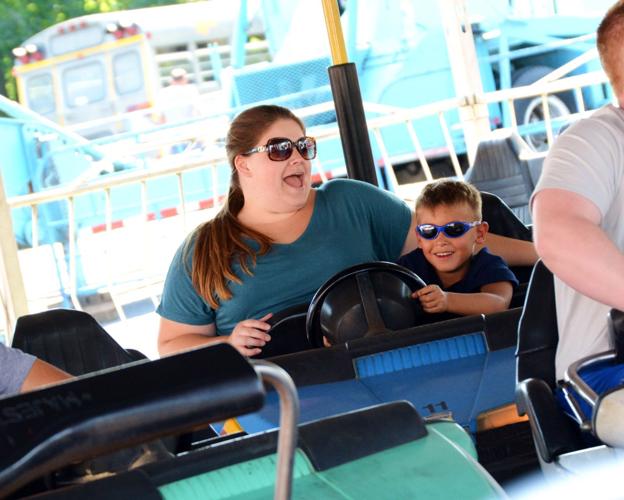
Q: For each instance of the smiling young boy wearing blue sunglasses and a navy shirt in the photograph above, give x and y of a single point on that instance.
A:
(461, 277)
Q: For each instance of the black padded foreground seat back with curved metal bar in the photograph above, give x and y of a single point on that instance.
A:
(103, 412)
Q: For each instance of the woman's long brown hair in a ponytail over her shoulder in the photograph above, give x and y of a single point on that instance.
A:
(221, 240)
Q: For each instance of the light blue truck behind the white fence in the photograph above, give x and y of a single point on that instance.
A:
(400, 52)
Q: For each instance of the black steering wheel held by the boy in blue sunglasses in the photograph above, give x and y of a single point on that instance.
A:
(364, 300)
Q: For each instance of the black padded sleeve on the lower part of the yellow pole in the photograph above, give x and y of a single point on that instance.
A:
(352, 122)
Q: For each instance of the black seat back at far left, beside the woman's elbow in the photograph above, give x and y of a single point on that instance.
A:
(71, 340)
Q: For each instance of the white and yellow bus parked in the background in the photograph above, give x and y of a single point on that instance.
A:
(106, 65)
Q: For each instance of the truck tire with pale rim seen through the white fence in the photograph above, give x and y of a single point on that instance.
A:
(530, 109)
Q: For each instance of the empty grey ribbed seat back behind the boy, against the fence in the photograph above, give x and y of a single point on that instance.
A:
(499, 169)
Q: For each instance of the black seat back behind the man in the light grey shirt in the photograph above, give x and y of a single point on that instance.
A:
(554, 432)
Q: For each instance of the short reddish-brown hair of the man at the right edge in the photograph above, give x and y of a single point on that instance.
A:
(610, 42)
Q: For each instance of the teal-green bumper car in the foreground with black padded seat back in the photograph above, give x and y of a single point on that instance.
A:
(386, 451)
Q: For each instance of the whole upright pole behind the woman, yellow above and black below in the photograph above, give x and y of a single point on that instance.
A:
(348, 102)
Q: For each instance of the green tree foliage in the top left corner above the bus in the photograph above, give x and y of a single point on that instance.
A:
(20, 19)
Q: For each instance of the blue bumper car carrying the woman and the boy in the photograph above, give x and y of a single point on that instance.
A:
(462, 368)
